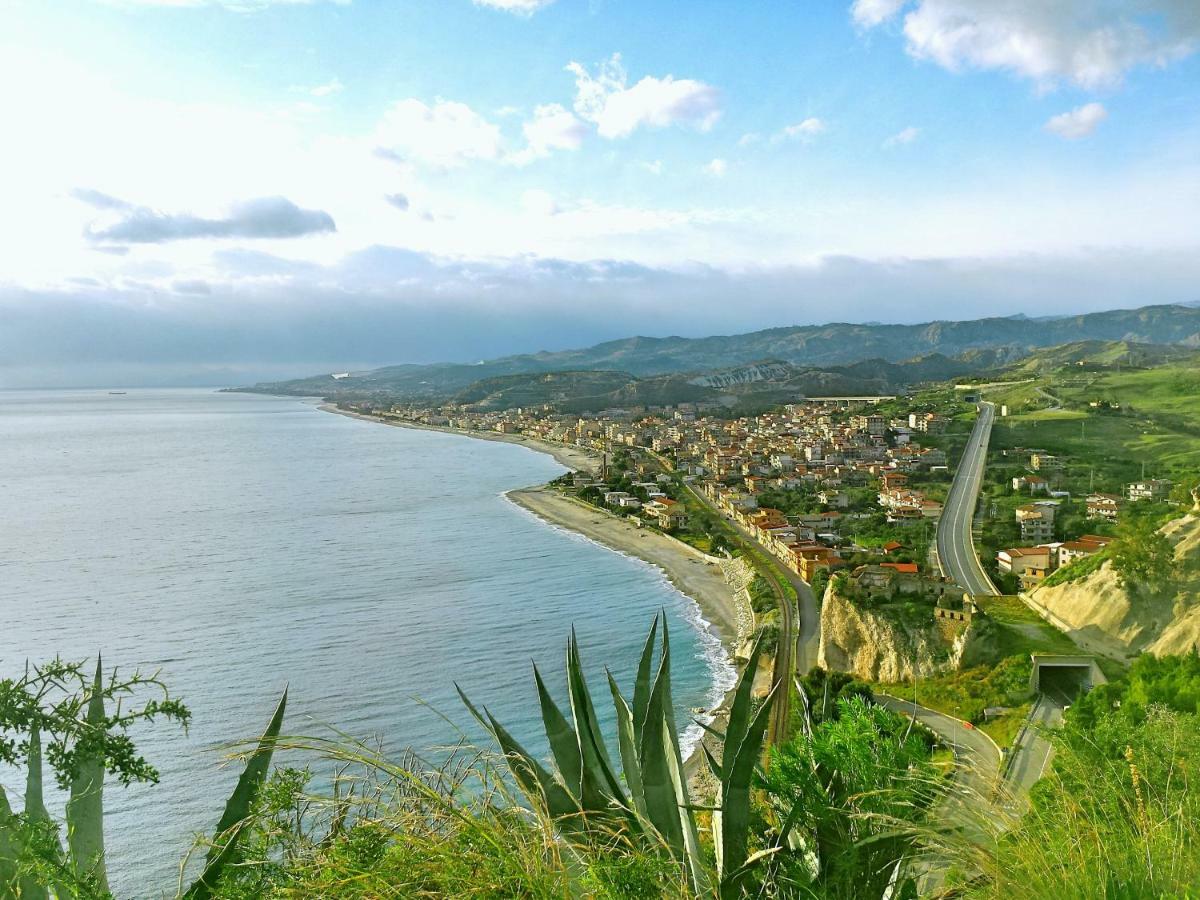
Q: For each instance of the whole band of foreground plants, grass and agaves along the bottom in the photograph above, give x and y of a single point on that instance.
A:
(848, 809)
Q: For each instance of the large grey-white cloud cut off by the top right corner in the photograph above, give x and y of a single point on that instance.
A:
(1090, 43)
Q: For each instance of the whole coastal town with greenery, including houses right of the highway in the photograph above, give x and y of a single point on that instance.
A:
(851, 485)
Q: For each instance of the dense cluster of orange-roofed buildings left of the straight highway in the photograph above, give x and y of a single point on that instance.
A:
(823, 446)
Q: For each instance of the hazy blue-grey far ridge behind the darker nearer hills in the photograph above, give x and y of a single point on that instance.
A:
(976, 345)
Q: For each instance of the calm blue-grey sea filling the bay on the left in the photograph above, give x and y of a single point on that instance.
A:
(243, 543)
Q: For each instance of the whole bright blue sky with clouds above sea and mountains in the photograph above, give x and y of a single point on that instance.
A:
(224, 191)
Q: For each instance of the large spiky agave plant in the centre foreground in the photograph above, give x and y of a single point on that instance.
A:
(584, 796)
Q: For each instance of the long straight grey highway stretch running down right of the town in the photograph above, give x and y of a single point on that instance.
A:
(956, 545)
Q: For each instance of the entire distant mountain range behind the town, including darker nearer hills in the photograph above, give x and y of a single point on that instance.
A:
(783, 362)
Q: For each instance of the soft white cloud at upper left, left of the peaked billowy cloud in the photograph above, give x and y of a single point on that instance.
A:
(446, 135)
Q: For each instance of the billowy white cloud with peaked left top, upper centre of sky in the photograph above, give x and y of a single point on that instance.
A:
(617, 111)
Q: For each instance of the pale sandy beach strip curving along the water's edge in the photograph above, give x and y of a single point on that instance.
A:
(688, 571)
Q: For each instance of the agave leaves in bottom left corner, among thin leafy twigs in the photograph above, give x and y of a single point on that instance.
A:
(81, 869)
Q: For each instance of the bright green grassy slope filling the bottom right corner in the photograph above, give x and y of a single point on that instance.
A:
(1119, 815)
